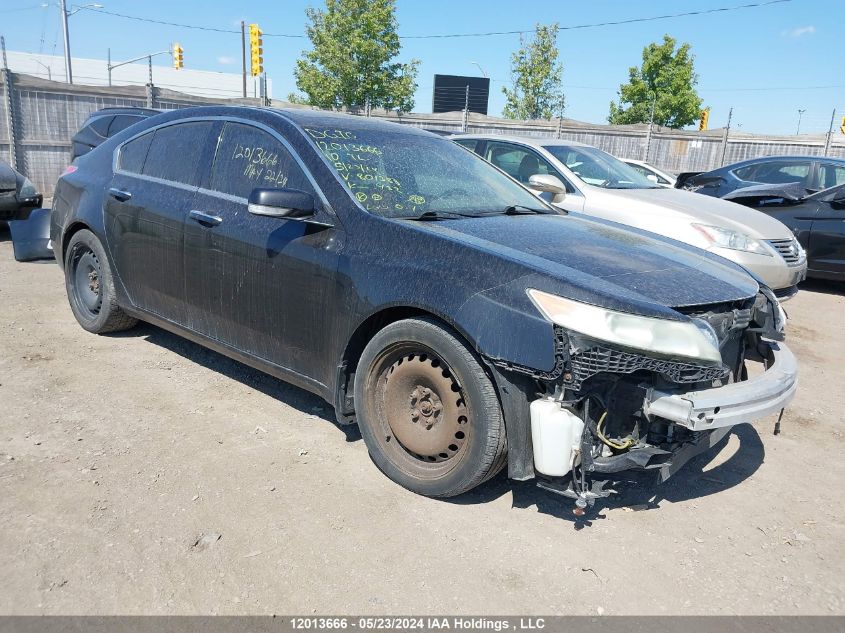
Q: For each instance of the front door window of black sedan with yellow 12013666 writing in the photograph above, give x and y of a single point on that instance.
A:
(249, 158)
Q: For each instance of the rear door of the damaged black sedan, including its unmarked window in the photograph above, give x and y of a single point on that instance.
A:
(156, 177)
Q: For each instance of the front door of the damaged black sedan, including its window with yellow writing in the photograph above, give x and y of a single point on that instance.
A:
(259, 284)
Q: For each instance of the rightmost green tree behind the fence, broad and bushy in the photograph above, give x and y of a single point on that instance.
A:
(667, 77)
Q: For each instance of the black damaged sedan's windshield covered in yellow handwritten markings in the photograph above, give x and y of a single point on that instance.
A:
(400, 174)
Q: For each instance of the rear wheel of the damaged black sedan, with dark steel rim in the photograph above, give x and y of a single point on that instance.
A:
(90, 286)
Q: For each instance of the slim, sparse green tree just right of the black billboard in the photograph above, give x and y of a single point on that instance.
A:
(537, 91)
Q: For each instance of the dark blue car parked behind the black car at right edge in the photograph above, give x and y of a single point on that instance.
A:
(813, 173)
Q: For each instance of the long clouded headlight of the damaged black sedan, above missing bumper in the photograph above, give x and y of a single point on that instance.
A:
(694, 339)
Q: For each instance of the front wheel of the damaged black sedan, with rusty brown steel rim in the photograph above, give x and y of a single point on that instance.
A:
(427, 410)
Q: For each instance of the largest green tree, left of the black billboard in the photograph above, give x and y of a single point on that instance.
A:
(354, 44)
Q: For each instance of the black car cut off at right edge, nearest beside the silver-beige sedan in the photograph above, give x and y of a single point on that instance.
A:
(817, 220)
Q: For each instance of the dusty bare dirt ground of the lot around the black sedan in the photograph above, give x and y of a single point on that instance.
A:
(122, 458)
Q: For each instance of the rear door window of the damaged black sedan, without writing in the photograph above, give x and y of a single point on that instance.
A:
(173, 150)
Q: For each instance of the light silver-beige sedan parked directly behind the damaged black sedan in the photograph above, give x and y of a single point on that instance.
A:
(577, 177)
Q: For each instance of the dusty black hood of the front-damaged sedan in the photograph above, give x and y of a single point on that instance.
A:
(602, 263)
